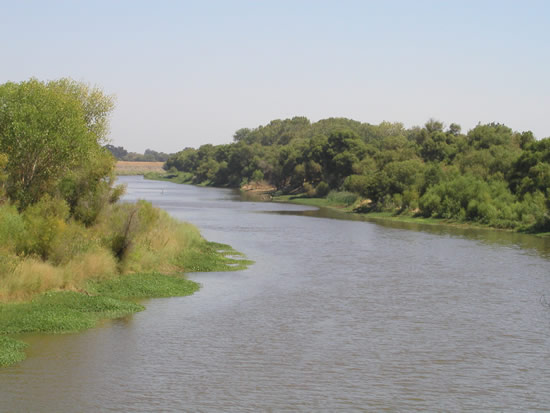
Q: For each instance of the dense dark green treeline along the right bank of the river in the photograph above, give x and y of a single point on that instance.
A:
(490, 175)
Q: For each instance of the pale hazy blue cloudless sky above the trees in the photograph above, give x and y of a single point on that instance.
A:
(187, 73)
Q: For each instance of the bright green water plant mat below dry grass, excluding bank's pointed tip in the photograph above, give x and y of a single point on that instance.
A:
(69, 311)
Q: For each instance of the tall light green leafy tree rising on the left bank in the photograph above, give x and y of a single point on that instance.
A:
(47, 131)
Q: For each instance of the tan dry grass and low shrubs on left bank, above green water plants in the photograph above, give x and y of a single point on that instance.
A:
(128, 238)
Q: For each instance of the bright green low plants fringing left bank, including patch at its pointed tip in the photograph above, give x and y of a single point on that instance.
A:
(71, 311)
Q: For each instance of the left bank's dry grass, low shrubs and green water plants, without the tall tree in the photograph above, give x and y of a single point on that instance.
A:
(93, 273)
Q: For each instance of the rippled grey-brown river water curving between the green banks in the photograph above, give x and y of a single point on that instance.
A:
(335, 315)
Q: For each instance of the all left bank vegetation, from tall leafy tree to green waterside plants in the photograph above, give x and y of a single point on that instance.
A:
(70, 253)
